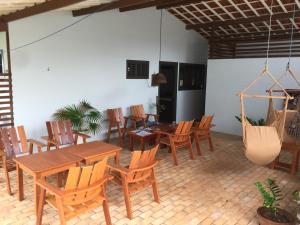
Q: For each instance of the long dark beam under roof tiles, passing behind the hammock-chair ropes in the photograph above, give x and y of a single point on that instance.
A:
(278, 16)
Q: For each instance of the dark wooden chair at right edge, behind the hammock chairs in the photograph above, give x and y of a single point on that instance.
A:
(294, 150)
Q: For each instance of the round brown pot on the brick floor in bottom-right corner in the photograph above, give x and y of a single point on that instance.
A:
(265, 217)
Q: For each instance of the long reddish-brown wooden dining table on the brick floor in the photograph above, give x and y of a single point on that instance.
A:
(41, 165)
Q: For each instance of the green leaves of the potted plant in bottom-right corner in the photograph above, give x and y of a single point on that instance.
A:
(272, 196)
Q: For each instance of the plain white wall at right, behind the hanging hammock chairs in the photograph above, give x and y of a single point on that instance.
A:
(227, 77)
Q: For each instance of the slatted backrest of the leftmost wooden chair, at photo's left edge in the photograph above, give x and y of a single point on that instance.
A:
(14, 141)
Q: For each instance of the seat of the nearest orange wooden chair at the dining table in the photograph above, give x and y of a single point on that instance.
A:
(74, 210)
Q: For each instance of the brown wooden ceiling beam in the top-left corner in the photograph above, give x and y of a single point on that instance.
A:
(37, 9)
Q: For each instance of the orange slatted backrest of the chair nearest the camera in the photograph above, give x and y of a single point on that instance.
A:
(83, 183)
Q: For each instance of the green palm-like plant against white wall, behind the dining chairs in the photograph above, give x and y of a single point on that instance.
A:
(84, 117)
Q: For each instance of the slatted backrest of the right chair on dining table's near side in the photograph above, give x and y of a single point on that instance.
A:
(140, 160)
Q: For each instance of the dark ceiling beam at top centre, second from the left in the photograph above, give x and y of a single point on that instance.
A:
(112, 5)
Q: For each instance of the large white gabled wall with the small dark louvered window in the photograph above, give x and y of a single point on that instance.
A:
(88, 61)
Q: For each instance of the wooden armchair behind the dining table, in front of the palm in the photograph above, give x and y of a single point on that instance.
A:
(60, 133)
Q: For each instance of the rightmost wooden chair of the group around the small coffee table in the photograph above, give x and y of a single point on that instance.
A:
(202, 132)
